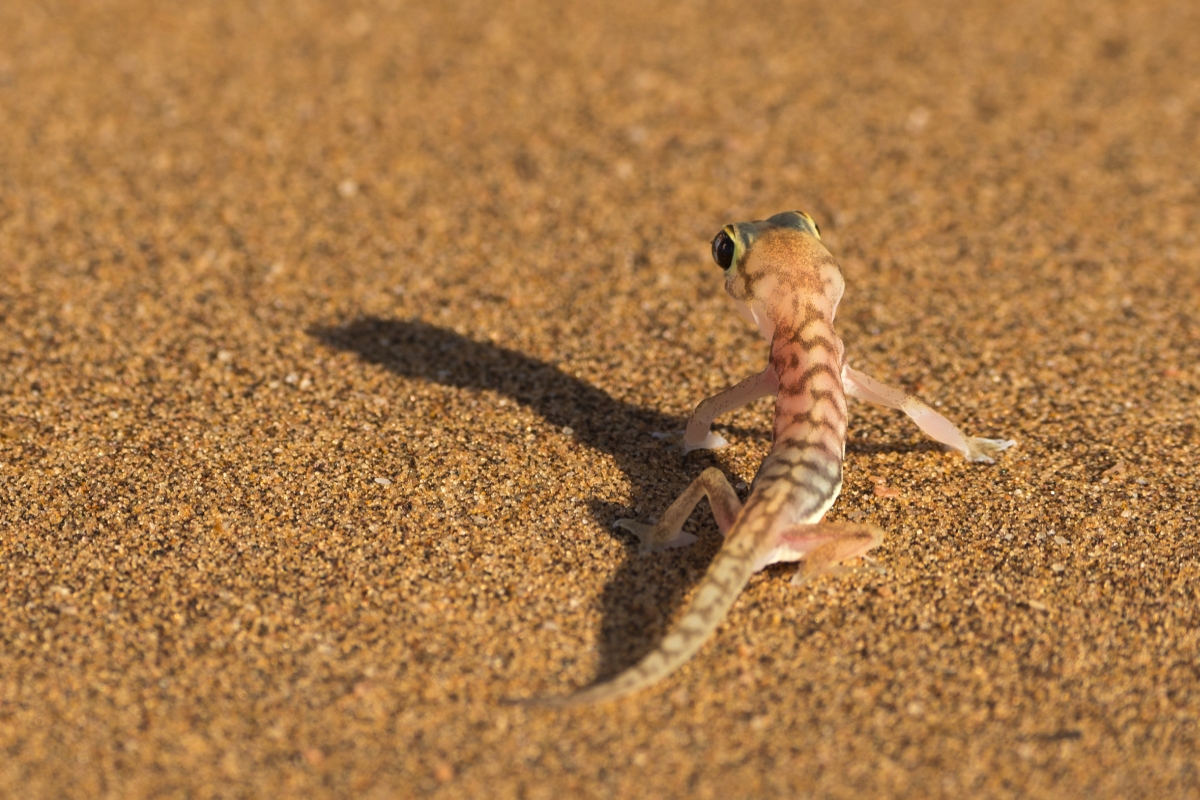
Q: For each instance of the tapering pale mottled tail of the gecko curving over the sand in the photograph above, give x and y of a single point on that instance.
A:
(728, 575)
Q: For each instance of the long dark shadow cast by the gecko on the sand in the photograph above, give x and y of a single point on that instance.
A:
(637, 601)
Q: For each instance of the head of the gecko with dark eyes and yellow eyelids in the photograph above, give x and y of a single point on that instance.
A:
(770, 262)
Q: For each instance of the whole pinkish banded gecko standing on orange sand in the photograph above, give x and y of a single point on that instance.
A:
(783, 280)
